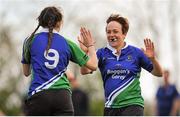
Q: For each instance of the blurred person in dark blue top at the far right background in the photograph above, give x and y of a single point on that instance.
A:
(166, 95)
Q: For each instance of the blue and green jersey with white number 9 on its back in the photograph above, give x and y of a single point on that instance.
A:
(48, 70)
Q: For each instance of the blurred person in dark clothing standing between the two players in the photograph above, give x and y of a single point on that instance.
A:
(79, 97)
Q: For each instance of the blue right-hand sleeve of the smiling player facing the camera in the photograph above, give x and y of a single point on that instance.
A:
(145, 62)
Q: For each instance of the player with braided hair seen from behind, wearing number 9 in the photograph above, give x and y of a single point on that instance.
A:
(45, 56)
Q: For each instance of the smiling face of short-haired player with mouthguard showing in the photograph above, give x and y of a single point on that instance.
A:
(114, 34)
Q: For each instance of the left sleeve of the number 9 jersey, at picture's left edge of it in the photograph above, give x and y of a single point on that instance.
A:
(26, 52)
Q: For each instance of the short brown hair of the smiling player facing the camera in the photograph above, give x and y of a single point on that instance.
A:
(121, 20)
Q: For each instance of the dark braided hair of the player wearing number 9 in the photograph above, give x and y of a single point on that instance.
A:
(48, 18)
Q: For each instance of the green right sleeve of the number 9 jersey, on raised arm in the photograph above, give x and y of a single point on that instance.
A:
(78, 55)
